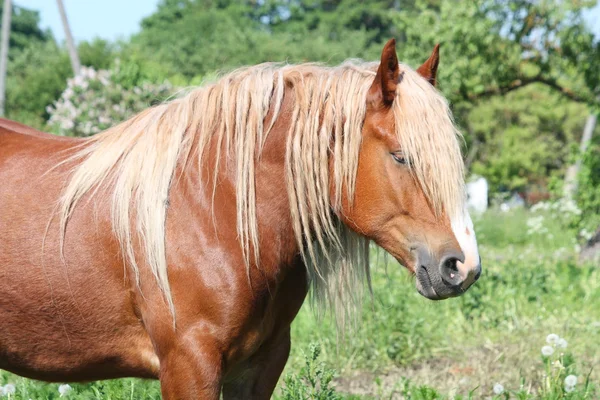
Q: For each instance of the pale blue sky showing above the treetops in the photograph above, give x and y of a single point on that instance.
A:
(114, 19)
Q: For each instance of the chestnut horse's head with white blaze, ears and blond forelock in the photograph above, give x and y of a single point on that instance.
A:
(409, 188)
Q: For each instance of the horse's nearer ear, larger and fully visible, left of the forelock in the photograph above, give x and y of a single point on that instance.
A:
(383, 88)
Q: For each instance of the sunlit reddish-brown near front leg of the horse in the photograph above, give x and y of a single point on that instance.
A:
(192, 369)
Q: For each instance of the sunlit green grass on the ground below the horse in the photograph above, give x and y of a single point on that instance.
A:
(405, 346)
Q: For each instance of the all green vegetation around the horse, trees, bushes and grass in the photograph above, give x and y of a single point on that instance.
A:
(521, 76)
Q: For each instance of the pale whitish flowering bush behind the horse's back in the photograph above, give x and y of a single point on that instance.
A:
(93, 101)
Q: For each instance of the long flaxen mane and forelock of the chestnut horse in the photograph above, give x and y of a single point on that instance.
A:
(137, 160)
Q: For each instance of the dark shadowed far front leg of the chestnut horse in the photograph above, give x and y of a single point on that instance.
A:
(264, 370)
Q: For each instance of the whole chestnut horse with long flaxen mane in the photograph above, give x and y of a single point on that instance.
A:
(180, 244)
